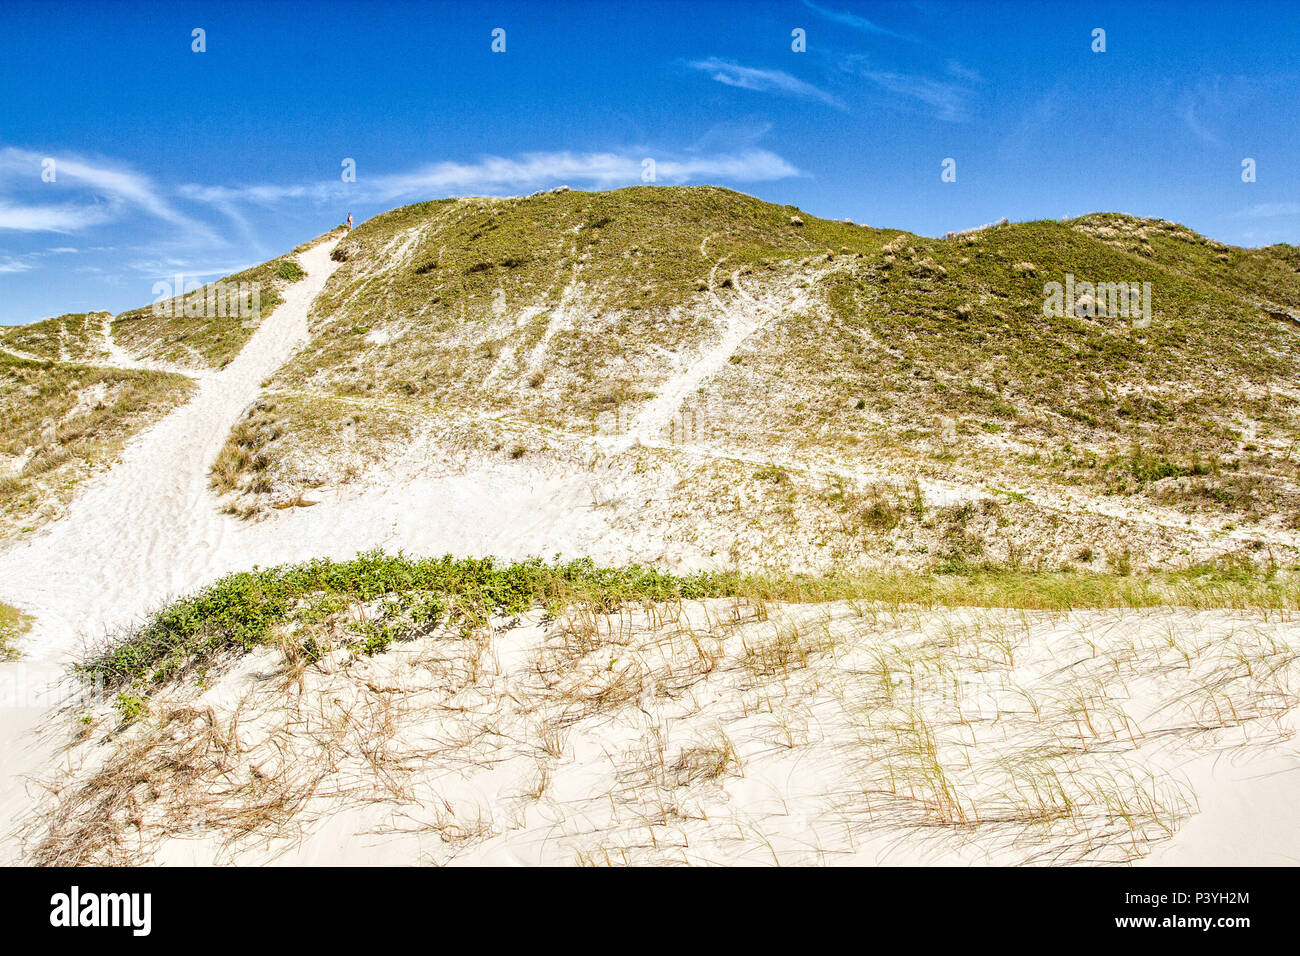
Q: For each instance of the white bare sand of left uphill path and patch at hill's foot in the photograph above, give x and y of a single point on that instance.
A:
(150, 530)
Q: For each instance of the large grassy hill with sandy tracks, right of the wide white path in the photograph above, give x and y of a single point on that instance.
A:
(850, 377)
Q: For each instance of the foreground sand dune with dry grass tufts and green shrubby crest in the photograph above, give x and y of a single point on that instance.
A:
(655, 729)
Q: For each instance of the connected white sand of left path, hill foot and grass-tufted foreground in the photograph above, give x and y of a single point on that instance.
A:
(707, 733)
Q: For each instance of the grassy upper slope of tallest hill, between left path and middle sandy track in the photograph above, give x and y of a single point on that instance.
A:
(427, 302)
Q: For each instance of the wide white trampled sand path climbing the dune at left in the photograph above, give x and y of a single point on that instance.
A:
(149, 527)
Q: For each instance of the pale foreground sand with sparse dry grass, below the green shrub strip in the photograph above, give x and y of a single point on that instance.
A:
(714, 733)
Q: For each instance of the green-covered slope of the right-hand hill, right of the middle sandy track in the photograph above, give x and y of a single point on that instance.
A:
(955, 330)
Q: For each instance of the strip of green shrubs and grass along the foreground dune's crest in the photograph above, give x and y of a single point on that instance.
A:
(367, 604)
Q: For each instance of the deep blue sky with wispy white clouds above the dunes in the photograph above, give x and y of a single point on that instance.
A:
(168, 161)
